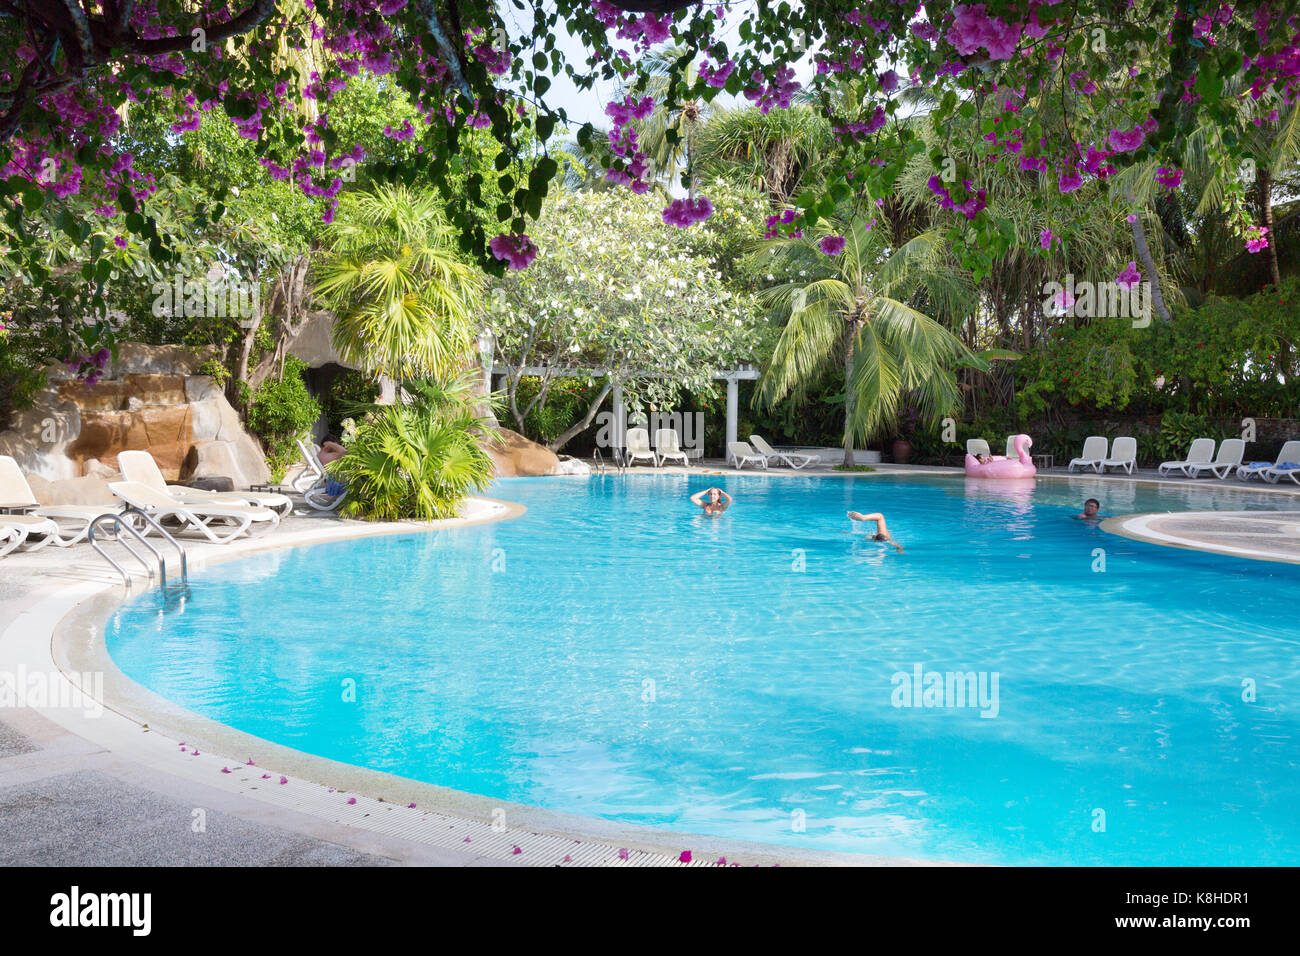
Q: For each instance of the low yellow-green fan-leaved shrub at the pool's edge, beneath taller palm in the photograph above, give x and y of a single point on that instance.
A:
(415, 461)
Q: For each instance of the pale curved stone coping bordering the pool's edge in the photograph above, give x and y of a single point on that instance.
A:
(66, 631)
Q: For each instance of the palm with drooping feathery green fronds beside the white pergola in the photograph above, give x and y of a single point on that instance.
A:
(855, 309)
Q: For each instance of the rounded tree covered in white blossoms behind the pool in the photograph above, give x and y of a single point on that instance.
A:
(623, 297)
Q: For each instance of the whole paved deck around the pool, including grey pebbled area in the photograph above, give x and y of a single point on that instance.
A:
(94, 771)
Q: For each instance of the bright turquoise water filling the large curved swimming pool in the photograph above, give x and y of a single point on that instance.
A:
(614, 654)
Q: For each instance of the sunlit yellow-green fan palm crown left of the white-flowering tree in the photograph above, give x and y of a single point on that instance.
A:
(400, 295)
